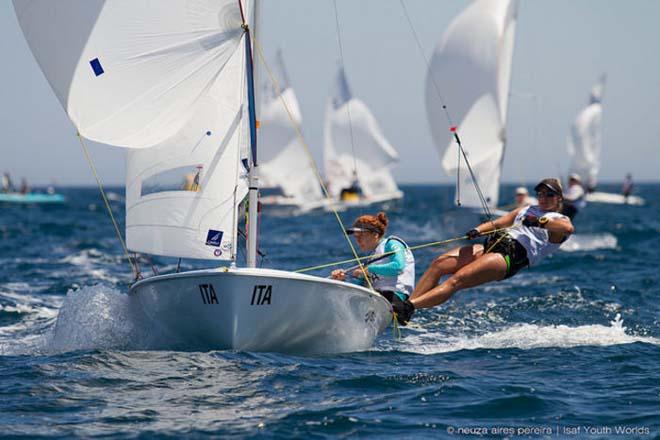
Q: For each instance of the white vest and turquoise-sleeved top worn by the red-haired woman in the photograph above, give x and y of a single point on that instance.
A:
(391, 279)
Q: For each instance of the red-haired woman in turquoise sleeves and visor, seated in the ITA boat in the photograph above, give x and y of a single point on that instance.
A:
(394, 275)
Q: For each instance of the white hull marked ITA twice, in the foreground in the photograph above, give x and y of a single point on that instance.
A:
(262, 310)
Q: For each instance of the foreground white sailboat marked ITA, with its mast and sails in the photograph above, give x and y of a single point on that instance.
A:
(175, 85)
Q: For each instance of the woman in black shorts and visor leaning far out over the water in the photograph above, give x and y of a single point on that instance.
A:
(532, 233)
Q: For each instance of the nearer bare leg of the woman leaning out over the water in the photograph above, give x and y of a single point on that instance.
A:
(486, 268)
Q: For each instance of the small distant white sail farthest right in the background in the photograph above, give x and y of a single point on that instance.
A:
(585, 141)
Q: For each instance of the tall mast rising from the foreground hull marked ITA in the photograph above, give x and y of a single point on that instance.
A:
(253, 175)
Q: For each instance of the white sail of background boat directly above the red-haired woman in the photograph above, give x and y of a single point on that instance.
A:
(353, 140)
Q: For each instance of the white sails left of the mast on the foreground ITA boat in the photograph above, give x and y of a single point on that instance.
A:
(161, 81)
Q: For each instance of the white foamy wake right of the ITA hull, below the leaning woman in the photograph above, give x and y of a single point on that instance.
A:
(526, 337)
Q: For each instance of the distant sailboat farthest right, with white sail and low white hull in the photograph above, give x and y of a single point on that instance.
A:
(585, 145)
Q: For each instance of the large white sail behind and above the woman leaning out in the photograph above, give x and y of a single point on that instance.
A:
(471, 67)
